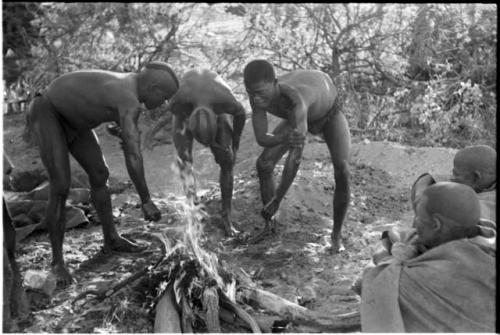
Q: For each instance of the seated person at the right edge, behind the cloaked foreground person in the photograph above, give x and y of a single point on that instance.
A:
(476, 166)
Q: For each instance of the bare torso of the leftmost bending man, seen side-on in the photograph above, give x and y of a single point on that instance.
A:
(85, 99)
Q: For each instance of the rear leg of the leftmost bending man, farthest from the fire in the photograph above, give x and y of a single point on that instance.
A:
(53, 150)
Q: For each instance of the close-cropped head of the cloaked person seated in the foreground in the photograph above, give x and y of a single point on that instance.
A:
(446, 211)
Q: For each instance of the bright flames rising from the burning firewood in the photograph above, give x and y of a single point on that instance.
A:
(194, 214)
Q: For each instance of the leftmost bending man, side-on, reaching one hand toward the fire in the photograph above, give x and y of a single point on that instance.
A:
(62, 120)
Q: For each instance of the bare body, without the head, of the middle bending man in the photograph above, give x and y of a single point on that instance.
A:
(205, 89)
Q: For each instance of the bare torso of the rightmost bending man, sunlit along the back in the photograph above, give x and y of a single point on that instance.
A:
(315, 88)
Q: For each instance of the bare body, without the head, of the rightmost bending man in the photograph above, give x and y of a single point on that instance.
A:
(299, 98)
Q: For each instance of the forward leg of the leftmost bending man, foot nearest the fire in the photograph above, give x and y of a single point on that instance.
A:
(87, 152)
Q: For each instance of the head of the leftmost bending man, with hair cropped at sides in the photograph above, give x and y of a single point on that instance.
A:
(157, 82)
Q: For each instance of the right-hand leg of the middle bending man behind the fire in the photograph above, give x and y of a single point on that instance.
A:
(224, 156)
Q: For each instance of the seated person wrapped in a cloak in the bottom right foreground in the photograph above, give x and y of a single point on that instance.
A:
(446, 280)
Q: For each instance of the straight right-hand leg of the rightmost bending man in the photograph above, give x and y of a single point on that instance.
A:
(338, 139)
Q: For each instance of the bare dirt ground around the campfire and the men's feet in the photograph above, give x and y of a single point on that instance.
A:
(295, 264)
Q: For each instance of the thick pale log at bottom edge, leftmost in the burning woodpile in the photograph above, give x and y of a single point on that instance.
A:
(167, 319)
